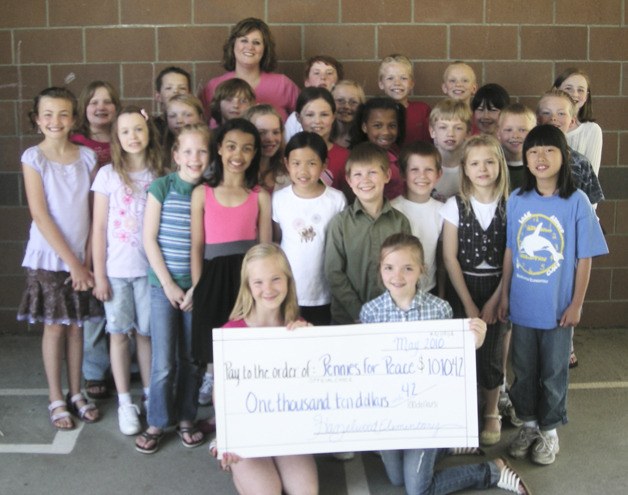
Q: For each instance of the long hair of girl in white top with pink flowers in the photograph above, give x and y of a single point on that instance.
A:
(152, 154)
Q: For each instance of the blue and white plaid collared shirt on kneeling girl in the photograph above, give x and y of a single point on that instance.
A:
(425, 306)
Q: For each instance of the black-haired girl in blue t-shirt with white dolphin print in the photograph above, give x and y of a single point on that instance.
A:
(552, 234)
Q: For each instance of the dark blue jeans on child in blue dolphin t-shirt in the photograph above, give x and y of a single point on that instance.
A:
(540, 362)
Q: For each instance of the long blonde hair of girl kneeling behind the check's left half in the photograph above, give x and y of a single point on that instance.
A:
(245, 303)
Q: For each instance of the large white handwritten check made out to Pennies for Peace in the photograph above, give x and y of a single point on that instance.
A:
(345, 388)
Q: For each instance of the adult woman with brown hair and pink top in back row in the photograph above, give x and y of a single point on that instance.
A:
(249, 53)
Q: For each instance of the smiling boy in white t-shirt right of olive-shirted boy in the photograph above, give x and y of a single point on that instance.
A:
(420, 165)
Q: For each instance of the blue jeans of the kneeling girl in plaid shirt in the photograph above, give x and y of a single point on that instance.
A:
(415, 469)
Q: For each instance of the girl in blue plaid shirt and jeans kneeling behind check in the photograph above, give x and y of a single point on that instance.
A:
(401, 268)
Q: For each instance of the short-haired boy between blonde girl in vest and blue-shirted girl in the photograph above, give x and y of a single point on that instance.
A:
(513, 125)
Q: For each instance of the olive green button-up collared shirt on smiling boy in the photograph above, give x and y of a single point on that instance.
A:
(352, 247)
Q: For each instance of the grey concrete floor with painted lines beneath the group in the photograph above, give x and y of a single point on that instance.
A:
(97, 459)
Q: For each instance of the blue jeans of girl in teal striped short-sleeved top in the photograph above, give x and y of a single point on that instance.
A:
(171, 336)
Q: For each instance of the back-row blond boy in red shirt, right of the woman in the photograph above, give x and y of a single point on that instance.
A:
(396, 79)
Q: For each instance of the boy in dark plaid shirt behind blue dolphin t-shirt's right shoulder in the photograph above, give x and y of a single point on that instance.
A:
(558, 109)
